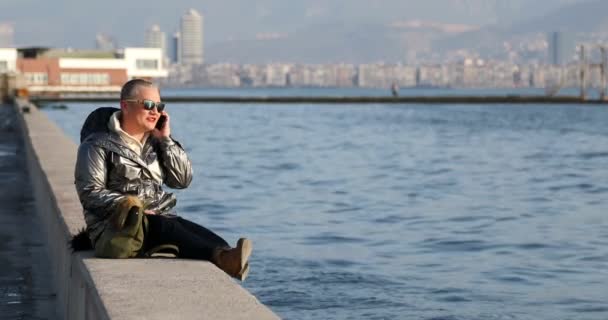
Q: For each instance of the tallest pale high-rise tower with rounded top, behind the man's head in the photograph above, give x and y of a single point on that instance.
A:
(191, 44)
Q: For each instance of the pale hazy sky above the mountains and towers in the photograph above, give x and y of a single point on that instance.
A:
(63, 23)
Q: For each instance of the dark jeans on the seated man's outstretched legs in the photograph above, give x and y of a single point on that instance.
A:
(194, 241)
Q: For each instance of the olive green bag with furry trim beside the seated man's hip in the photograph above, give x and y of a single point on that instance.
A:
(125, 231)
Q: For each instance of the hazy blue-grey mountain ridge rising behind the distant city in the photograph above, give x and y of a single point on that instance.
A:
(382, 41)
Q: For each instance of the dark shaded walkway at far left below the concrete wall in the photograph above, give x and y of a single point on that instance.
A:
(25, 278)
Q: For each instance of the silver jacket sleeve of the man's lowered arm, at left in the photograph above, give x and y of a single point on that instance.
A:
(90, 175)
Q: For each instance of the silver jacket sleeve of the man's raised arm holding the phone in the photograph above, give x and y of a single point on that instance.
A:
(177, 168)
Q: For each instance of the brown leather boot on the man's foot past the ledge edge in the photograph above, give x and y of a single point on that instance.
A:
(234, 260)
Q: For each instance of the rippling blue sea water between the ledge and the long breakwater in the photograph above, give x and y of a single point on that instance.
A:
(424, 212)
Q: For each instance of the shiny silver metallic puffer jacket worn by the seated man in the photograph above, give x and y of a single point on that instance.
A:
(107, 170)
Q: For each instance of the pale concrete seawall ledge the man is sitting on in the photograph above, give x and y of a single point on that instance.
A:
(92, 288)
